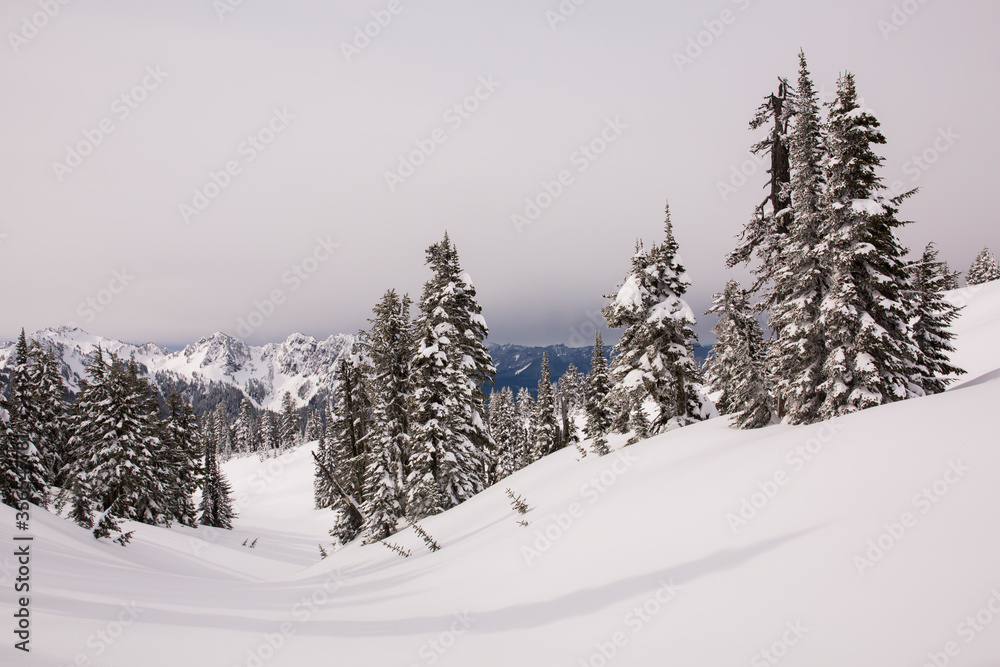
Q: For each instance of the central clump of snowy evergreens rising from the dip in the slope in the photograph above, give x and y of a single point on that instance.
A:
(408, 434)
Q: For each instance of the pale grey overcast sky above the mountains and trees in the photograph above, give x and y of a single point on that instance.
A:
(99, 193)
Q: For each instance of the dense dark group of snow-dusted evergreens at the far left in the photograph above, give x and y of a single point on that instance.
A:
(112, 453)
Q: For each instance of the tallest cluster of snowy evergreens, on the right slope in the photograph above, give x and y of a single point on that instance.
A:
(854, 323)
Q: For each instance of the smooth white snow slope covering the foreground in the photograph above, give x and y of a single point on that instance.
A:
(911, 486)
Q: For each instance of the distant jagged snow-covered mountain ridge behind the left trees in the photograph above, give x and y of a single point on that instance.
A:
(301, 364)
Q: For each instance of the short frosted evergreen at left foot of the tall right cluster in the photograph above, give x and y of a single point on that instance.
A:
(735, 369)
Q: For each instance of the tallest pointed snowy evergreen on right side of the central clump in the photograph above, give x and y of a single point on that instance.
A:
(450, 441)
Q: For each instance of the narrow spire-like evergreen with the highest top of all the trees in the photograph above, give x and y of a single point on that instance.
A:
(798, 353)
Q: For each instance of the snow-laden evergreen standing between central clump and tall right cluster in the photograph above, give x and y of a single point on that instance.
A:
(655, 355)
